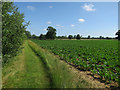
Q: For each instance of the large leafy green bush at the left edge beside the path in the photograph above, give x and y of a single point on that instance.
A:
(13, 30)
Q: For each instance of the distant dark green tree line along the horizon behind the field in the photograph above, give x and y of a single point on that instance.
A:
(51, 34)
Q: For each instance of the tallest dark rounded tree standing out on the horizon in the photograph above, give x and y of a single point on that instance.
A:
(51, 34)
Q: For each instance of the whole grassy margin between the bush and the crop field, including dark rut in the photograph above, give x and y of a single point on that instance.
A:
(34, 69)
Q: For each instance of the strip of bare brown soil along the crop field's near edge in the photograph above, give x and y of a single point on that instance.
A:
(88, 76)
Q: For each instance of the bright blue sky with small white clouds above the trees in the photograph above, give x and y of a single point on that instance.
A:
(71, 18)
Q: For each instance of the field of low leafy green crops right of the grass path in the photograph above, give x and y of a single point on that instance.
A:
(98, 56)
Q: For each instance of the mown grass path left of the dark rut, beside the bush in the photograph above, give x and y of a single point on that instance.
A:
(27, 71)
